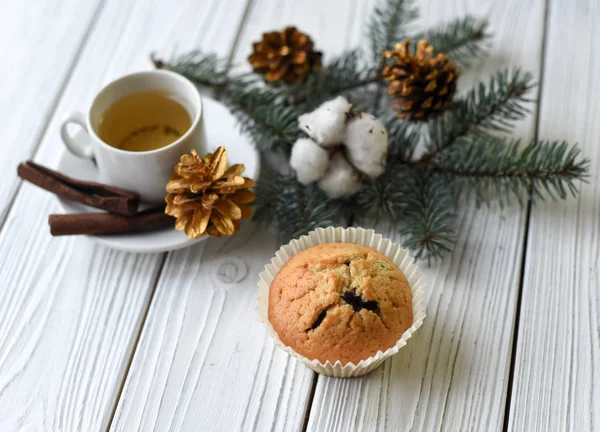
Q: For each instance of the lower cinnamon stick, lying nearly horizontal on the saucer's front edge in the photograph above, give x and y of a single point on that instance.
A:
(106, 223)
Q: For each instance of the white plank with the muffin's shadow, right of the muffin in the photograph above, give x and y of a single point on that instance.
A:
(453, 374)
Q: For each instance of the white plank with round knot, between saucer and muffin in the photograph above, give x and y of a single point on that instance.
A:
(203, 361)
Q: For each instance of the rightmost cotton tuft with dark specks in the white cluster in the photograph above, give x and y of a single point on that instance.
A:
(366, 141)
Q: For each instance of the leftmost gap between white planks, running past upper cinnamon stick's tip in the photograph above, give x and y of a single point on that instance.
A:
(54, 102)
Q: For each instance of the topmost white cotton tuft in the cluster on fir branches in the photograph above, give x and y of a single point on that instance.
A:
(326, 124)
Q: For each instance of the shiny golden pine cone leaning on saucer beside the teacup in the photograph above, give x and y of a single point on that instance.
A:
(206, 196)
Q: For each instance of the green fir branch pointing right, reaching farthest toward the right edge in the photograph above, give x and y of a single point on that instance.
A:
(491, 167)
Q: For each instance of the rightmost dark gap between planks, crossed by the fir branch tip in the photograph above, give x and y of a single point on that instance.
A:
(515, 332)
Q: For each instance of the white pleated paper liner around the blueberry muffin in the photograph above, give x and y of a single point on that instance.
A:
(361, 236)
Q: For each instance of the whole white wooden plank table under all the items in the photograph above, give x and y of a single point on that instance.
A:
(93, 339)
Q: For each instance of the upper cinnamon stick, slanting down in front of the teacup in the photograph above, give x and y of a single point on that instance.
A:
(109, 198)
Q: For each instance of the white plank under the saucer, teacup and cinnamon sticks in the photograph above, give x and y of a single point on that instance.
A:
(71, 311)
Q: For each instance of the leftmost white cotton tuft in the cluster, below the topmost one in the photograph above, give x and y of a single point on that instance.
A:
(308, 160)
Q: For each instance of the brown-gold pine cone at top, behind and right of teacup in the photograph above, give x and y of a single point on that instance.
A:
(286, 55)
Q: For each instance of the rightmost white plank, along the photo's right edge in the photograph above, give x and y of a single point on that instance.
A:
(557, 367)
